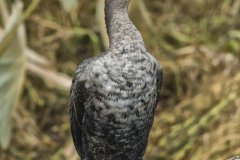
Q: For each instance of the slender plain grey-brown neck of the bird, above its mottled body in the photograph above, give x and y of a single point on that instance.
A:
(121, 30)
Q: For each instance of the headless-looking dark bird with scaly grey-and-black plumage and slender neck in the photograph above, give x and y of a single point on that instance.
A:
(113, 96)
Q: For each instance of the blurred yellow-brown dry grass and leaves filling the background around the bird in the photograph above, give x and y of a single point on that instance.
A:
(196, 41)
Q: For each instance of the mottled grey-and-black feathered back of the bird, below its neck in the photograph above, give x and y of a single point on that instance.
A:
(121, 95)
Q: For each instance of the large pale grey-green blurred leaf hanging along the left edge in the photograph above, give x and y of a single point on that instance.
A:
(12, 68)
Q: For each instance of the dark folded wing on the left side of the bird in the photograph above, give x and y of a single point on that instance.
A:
(78, 97)
